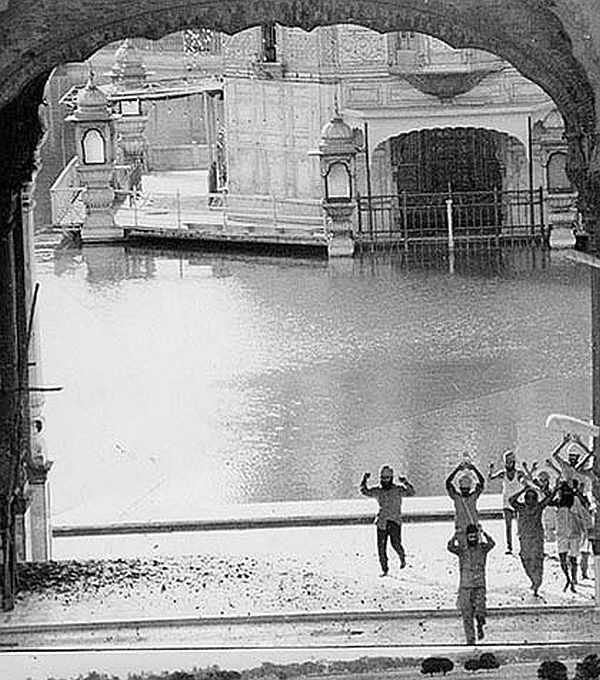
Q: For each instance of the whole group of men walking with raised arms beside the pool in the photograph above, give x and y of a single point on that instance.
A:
(547, 511)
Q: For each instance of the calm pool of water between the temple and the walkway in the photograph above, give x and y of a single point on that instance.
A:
(199, 380)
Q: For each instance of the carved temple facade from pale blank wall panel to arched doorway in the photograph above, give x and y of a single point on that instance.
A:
(432, 117)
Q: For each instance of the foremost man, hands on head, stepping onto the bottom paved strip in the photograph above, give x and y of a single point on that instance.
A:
(472, 550)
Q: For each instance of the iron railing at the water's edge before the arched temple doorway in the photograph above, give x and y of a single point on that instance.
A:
(489, 217)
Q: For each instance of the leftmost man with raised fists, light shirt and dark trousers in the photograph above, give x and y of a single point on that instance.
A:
(389, 518)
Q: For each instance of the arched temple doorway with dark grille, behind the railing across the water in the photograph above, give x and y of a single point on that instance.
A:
(482, 171)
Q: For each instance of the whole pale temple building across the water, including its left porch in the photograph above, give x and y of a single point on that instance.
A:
(431, 120)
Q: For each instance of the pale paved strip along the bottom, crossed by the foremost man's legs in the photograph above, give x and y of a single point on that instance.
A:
(514, 626)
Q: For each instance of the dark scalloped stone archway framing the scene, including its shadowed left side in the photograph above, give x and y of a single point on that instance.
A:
(554, 43)
